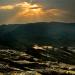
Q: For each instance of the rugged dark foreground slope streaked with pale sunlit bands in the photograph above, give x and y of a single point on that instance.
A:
(38, 61)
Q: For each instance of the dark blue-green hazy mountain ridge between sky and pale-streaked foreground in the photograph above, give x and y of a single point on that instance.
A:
(53, 33)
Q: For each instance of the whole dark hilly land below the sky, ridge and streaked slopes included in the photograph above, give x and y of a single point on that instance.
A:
(47, 48)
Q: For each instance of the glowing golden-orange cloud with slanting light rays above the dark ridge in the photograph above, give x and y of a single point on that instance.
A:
(33, 12)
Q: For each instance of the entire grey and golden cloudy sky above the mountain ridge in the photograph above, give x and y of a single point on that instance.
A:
(27, 11)
